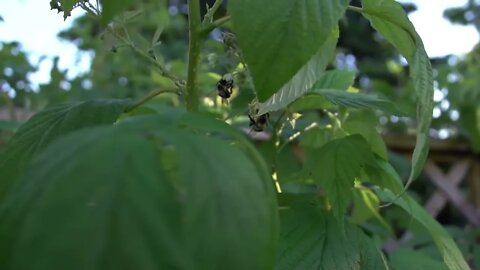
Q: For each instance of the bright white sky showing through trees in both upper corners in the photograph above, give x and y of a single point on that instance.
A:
(35, 26)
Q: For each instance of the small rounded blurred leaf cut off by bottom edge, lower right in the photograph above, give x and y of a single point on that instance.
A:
(414, 260)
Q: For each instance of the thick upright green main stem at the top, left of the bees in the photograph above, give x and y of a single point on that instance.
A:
(194, 23)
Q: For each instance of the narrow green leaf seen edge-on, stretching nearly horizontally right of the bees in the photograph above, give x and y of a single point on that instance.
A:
(358, 101)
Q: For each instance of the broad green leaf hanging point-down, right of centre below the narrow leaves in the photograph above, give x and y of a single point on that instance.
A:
(335, 167)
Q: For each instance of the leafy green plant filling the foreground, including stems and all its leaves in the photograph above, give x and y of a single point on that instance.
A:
(114, 183)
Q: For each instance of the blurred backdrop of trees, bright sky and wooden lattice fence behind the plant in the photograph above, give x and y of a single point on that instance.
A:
(46, 60)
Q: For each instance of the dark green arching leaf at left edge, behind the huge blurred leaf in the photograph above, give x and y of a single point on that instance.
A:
(48, 125)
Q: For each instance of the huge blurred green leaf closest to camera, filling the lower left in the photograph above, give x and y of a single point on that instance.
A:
(133, 197)
